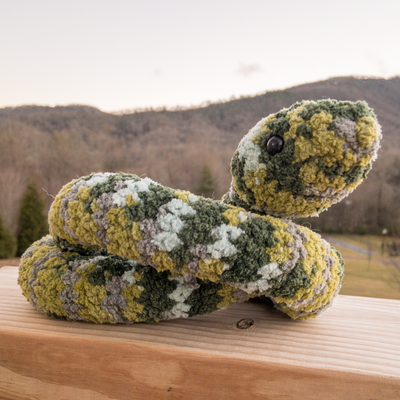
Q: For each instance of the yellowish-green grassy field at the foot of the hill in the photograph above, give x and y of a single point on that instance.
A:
(373, 275)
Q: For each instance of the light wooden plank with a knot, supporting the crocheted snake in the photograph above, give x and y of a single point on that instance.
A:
(351, 352)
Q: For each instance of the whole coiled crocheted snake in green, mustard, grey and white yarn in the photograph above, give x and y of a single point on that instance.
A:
(123, 249)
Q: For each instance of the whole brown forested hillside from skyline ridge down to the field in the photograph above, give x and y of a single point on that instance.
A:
(55, 144)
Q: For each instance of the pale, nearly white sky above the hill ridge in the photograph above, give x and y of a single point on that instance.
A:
(124, 54)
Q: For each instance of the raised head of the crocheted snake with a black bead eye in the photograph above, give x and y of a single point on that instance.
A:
(301, 160)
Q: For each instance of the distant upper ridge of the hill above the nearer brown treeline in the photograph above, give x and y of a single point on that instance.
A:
(228, 119)
